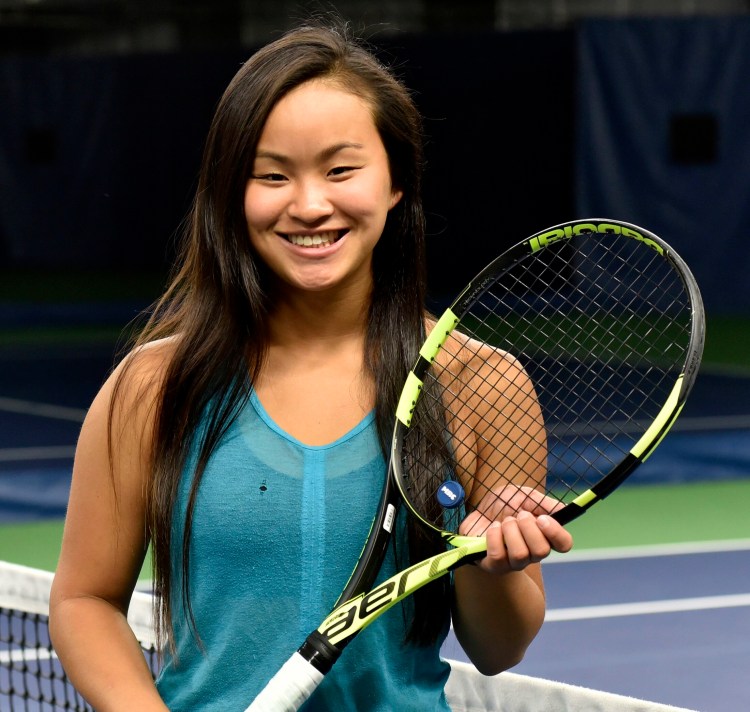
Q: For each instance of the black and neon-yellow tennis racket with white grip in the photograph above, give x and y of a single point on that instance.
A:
(554, 374)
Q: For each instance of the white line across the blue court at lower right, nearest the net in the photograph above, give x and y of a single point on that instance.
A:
(641, 608)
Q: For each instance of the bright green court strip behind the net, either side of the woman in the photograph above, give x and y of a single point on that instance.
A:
(636, 515)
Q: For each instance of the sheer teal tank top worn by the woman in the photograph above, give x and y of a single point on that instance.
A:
(277, 528)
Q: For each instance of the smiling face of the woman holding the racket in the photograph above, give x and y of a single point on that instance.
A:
(320, 190)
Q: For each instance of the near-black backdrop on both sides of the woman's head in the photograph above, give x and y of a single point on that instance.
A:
(98, 155)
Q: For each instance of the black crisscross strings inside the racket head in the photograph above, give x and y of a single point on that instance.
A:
(593, 334)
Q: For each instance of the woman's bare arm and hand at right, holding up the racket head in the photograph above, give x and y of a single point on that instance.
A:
(499, 603)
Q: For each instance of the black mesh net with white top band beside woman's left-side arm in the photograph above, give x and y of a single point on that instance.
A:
(31, 676)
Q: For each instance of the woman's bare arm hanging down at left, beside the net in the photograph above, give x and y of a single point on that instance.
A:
(103, 548)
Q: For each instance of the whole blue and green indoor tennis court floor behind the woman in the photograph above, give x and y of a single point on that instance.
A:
(654, 603)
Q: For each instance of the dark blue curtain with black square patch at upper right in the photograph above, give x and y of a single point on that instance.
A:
(663, 139)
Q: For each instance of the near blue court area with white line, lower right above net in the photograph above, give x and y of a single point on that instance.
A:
(669, 627)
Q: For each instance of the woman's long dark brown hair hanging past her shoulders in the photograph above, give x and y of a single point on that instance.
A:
(216, 305)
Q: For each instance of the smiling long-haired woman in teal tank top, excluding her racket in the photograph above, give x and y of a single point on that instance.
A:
(250, 422)
